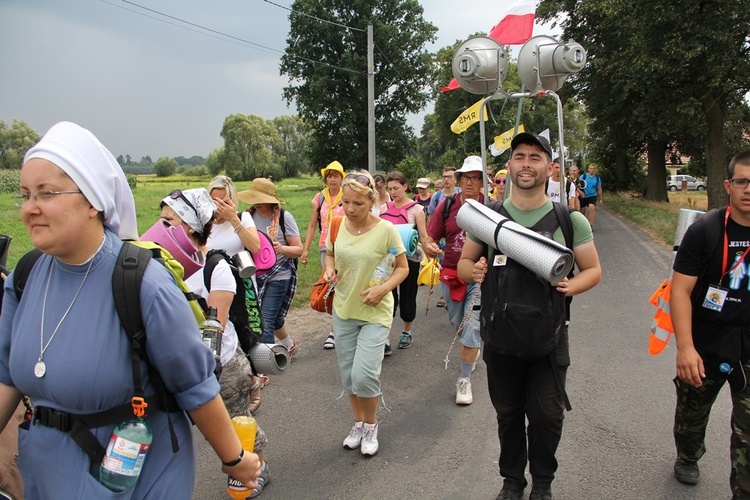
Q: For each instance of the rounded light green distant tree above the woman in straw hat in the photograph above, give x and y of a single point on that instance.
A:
(250, 143)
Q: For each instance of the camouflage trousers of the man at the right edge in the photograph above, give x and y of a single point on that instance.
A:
(691, 418)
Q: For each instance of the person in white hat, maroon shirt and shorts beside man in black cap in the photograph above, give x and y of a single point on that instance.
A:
(458, 296)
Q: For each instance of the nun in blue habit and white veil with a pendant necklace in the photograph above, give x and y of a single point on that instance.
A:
(62, 343)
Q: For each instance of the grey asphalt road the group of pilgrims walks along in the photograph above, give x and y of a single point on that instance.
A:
(616, 442)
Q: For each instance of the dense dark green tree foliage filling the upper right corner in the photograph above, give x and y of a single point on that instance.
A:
(655, 70)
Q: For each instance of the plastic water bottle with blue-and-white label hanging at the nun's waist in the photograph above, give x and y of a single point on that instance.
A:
(125, 454)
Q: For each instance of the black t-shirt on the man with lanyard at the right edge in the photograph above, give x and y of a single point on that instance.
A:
(699, 257)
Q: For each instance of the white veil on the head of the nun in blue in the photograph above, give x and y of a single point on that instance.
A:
(79, 154)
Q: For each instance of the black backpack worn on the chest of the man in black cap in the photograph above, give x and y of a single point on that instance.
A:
(522, 314)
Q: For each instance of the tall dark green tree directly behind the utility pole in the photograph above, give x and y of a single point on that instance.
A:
(327, 69)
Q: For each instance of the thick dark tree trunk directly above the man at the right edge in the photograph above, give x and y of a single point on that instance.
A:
(715, 112)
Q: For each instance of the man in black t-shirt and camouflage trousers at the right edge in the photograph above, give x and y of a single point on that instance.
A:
(710, 306)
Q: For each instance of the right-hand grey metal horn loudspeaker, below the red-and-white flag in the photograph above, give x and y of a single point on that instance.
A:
(544, 63)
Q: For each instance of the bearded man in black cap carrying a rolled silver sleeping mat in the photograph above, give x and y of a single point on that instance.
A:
(529, 388)
